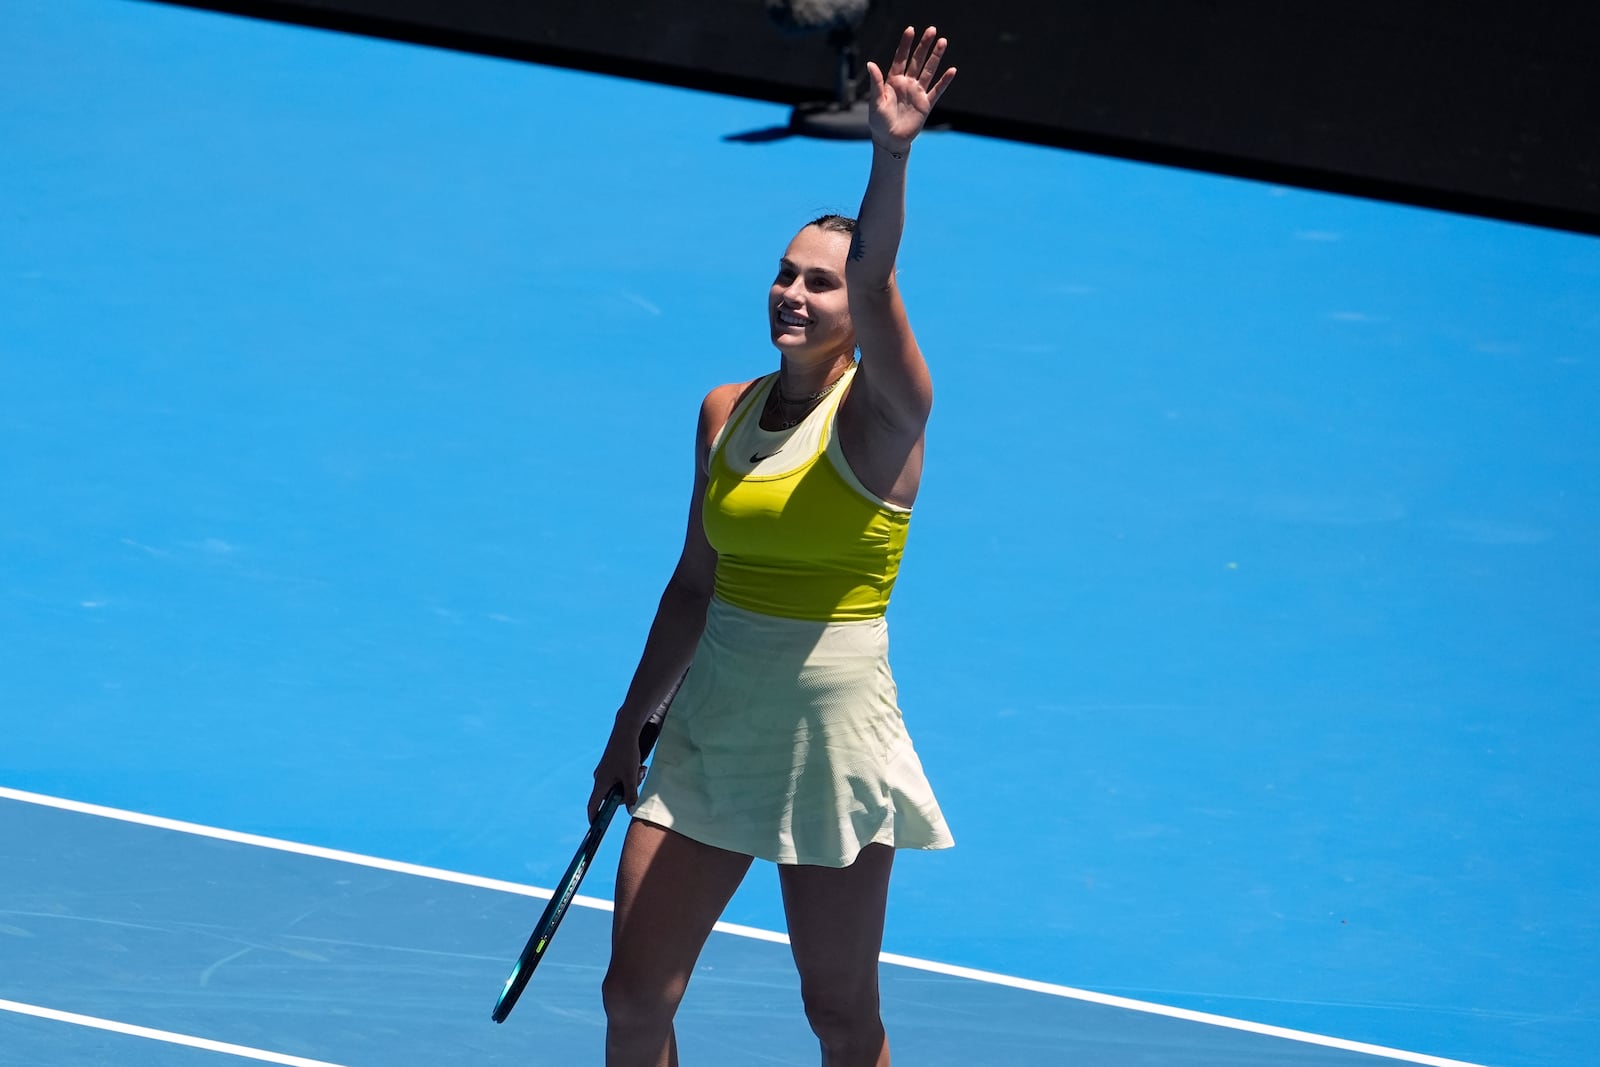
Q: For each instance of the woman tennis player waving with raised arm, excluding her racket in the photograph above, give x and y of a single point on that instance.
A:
(786, 741)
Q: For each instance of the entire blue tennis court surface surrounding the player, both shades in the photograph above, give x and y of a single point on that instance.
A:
(1247, 628)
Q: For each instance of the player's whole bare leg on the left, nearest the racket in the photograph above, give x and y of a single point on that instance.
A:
(670, 893)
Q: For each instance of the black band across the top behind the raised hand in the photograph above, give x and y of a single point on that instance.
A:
(1474, 106)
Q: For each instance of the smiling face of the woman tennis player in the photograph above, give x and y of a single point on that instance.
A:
(807, 308)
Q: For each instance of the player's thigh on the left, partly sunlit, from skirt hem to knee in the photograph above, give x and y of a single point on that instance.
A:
(670, 893)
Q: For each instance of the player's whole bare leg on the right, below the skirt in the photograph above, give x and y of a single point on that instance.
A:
(836, 930)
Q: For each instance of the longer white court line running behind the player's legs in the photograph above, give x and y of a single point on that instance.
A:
(734, 929)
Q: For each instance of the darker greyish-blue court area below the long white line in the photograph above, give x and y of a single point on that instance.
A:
(335, 962)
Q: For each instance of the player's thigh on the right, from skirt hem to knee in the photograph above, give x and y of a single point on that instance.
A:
(836, 917)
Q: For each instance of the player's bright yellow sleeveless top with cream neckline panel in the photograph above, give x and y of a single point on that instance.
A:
(796, 532)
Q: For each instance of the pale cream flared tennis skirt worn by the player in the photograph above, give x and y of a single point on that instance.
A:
(786, 743)
